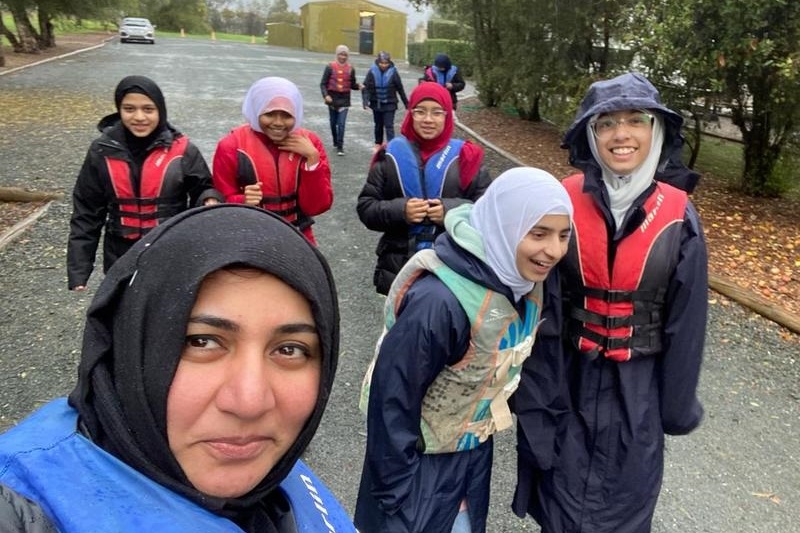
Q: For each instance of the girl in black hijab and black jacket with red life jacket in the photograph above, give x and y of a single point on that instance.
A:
(137, 174)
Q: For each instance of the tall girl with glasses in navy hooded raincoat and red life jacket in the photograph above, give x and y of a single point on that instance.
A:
(634, 296)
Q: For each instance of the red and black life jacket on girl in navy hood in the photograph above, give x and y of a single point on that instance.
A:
(617, 309)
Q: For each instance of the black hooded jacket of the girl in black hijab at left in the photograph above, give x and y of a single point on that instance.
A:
(93, 197)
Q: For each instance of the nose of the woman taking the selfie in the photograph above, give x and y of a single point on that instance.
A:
(246, 391)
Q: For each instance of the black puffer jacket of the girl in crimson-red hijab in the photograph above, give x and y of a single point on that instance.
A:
(381, 207)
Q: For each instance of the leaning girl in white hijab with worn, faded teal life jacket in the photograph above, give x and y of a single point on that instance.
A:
(460, 319)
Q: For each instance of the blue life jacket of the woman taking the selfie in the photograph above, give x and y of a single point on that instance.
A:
(81, 487)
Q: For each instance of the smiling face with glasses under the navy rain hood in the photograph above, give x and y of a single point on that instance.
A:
(625, 146)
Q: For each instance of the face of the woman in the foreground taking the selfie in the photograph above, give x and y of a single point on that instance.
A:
(247, 381)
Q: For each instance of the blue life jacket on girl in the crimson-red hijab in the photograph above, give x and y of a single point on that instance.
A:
(424, 183)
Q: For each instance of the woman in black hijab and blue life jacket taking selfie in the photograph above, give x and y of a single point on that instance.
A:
(206, 365)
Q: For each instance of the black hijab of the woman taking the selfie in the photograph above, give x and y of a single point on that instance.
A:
(135, 331)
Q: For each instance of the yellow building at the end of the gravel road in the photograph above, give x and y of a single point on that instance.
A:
(365, 27)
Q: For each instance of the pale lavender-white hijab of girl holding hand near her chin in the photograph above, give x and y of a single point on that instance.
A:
(270, 94)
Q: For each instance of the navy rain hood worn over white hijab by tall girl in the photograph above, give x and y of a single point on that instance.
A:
(630, 91)
